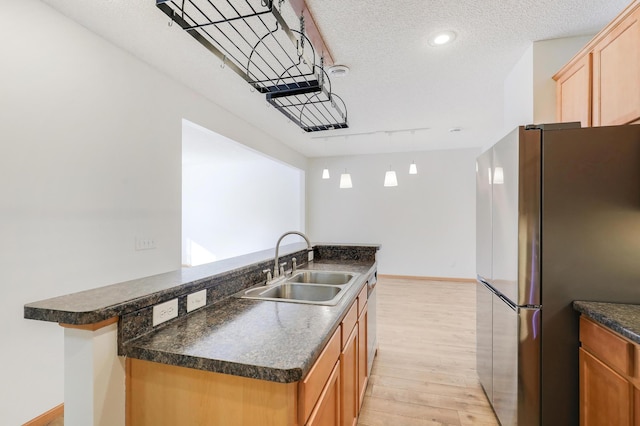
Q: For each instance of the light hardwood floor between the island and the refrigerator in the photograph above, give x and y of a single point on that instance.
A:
(425, 373)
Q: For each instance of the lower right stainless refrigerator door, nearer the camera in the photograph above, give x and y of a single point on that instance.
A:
(516, 364)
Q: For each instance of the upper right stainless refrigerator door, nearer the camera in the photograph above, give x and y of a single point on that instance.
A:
(516, 217)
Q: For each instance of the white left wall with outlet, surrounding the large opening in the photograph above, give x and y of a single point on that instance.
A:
(91, 158)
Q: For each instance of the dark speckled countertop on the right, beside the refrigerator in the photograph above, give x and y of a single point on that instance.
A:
(622, 318)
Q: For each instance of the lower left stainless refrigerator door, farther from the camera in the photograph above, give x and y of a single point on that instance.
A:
(484, 337)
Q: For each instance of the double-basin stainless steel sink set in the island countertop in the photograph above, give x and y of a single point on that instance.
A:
(313, 287)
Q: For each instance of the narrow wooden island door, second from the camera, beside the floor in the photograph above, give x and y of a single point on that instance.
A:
(349, 379)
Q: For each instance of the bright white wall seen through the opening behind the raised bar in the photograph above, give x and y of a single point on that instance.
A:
(234, 200)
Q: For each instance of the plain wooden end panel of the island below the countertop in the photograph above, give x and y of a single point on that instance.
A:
(160, 394)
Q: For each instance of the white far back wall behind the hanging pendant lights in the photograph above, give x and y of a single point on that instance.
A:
(426, 224)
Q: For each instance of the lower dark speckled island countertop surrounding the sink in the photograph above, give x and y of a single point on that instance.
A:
(275, 341)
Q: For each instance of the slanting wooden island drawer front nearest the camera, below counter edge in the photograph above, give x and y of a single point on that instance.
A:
(311, 386)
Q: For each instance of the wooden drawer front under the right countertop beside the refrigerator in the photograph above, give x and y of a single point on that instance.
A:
(609, 347)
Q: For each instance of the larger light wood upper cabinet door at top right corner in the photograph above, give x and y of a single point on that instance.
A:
(616, 67)
